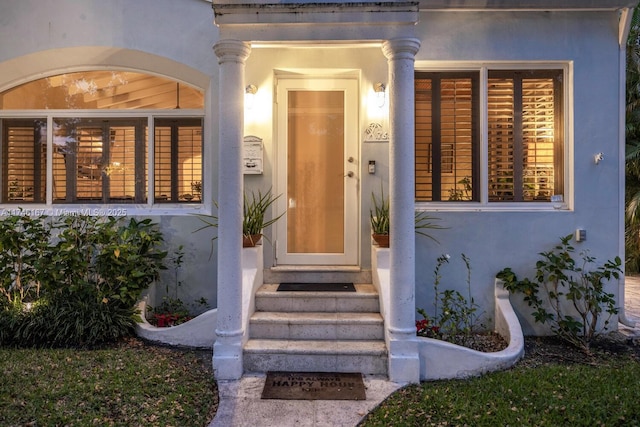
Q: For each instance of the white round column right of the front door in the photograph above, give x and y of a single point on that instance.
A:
(404, 360)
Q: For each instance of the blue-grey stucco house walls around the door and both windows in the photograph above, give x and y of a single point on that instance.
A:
(174, 38)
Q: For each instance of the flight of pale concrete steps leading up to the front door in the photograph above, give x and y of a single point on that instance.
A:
(316, 332)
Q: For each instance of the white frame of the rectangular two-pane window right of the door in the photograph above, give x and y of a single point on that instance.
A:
(567, 204)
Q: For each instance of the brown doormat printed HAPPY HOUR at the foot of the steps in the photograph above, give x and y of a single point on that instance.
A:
(314, 386)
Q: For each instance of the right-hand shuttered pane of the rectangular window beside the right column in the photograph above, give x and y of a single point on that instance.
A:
(525, 135)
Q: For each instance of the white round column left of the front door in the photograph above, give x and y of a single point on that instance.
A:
(227, 350)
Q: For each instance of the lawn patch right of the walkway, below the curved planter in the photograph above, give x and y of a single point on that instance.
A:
(603, 393)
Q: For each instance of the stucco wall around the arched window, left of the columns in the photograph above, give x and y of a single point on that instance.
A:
(166, 37)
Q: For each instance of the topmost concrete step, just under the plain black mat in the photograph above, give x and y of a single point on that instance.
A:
(364, 300)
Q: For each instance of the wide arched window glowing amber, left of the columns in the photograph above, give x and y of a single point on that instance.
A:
(85, 137)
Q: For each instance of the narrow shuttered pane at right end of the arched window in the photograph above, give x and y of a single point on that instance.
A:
(178, 160)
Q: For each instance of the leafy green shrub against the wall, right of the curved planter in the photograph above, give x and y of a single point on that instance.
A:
(567, 295)
